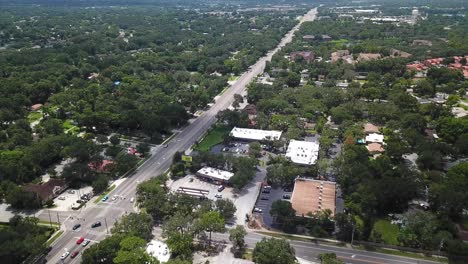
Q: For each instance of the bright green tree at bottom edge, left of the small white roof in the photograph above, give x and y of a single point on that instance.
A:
(133, 251)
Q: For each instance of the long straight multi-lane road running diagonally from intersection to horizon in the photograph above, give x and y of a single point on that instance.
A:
(160, 161)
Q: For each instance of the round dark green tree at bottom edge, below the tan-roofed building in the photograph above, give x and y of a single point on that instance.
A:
(273, 251)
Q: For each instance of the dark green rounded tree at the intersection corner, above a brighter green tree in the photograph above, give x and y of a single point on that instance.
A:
(133, 224)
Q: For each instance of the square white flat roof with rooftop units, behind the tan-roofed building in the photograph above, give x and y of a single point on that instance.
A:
(303, 152)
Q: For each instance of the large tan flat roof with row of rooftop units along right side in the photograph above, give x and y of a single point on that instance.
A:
(313, 196)
